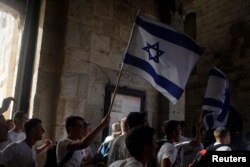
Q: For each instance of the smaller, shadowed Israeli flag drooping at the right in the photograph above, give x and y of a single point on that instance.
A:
(216, 100)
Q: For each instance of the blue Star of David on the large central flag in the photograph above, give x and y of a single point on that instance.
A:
(151, 49)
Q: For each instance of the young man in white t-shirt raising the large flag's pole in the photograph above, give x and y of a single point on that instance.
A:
(75, 142)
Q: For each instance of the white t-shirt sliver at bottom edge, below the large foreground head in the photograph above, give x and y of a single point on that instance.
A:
(129, 162)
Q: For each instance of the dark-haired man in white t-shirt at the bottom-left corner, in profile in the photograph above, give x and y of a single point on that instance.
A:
(23, 153)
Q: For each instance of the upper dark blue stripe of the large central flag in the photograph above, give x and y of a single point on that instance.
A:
(169, 35)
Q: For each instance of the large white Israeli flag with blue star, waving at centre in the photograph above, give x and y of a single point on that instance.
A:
(162, 56)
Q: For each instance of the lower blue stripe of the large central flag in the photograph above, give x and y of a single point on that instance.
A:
(169, 86)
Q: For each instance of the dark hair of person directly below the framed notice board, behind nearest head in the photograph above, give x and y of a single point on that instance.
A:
(135, 119)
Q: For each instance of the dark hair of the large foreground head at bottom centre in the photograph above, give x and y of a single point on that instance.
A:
(137, 138)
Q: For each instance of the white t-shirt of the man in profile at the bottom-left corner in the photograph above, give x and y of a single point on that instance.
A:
(18, 155)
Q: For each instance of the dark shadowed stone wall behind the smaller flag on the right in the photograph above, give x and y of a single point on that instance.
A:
(223, 30)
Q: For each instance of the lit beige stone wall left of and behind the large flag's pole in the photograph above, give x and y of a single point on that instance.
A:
(82, 48)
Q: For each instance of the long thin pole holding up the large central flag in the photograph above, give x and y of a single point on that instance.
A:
(121, 69)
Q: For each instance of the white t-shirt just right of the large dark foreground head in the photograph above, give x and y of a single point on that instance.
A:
(167, 150)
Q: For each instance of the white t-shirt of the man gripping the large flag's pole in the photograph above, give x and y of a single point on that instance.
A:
(61, 151)
